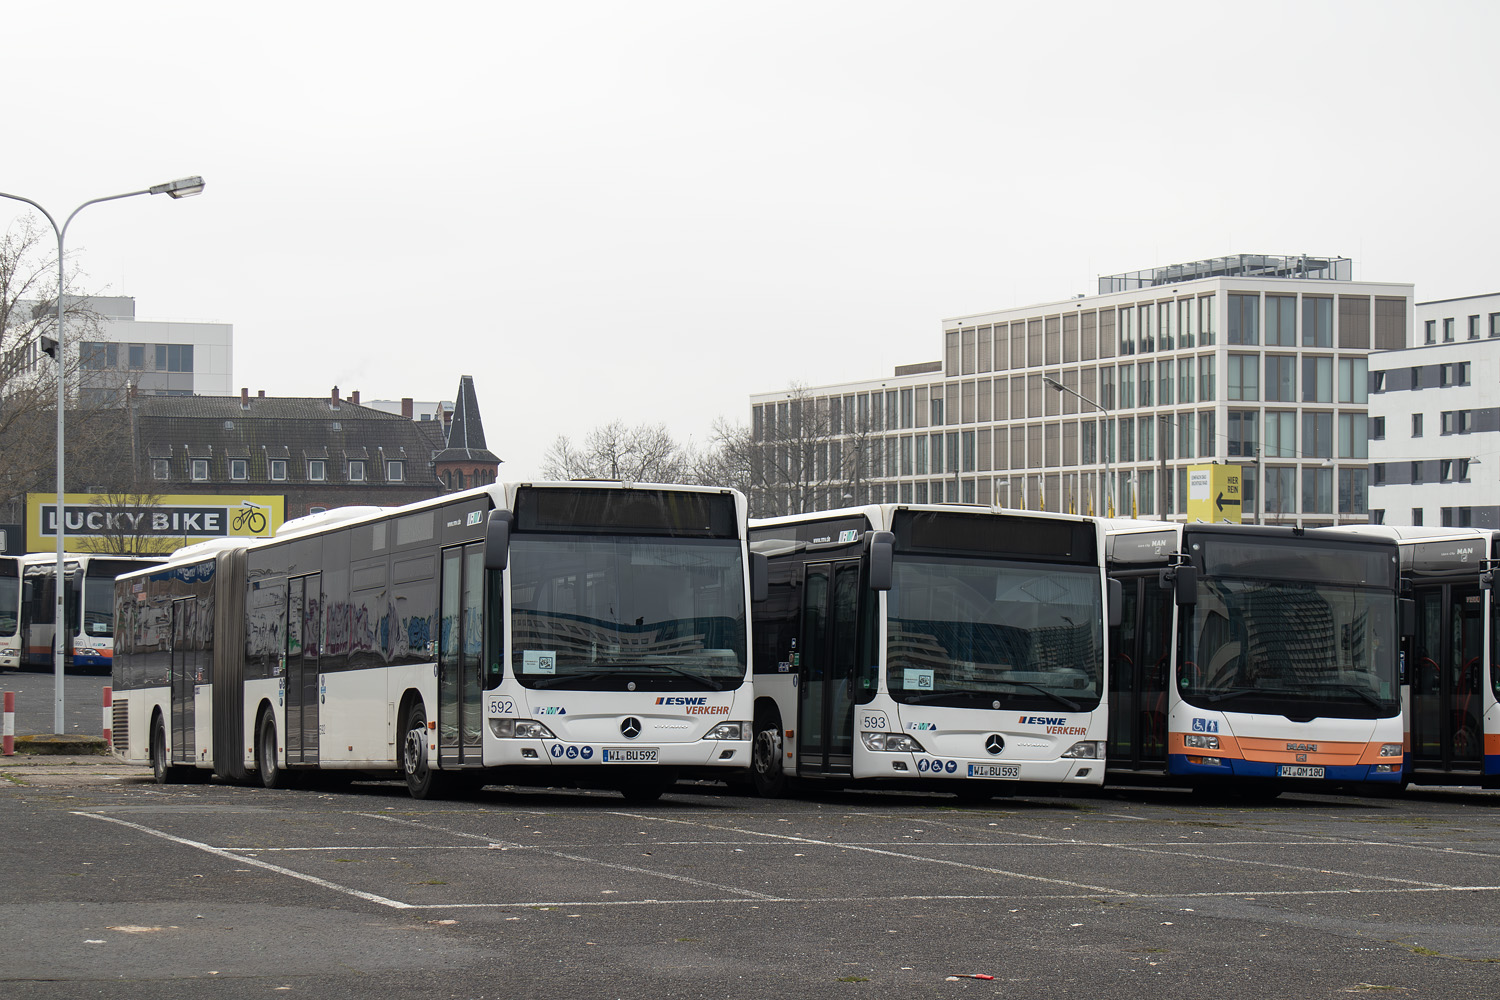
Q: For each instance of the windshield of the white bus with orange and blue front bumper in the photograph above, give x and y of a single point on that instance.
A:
(1291, 648)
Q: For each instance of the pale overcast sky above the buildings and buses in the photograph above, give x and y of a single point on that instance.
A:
(650, 211)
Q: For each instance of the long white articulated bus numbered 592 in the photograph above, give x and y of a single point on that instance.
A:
(589, 633)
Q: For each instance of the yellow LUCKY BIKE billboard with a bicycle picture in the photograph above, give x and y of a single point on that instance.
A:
(124, 524)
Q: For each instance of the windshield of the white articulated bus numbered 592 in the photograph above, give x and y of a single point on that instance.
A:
(610, 612)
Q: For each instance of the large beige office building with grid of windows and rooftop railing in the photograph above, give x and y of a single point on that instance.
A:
(1247, 361)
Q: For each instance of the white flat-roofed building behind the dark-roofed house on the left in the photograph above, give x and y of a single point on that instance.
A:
(155, 358)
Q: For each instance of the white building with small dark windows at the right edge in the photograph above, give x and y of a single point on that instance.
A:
(1435, 421)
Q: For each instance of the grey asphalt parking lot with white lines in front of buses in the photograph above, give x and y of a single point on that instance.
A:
(115, 887)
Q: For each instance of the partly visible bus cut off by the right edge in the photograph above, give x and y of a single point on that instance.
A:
(1453, 716)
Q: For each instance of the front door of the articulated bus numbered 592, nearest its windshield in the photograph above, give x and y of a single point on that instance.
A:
(460, 656)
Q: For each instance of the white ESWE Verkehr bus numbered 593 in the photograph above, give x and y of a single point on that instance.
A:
(935, 647)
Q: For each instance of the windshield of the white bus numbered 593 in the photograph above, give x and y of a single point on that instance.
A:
(995, 635)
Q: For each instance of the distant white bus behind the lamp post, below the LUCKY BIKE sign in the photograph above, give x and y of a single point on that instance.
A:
(88, 605)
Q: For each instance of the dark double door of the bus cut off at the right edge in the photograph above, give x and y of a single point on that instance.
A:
(1447, 675)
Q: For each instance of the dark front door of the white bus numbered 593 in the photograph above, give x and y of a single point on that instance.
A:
(827, 674)
